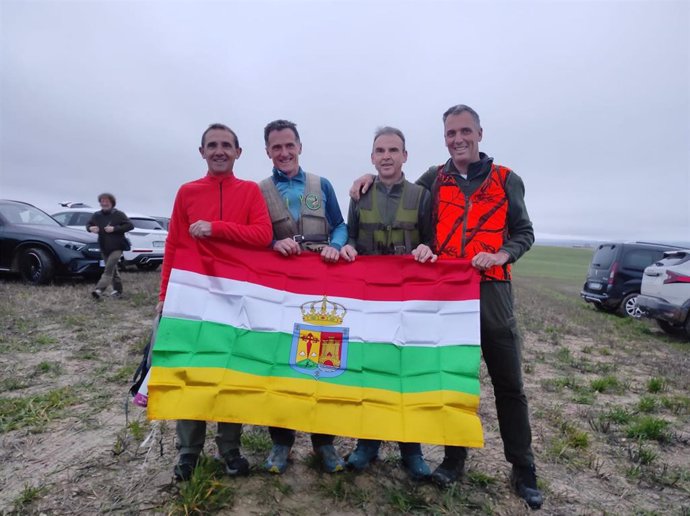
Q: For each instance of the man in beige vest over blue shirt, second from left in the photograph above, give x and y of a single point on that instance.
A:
(306, 216)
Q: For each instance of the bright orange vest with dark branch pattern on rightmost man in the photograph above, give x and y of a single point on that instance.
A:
(468, 225)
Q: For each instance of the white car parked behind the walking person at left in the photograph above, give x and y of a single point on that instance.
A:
(147, 237)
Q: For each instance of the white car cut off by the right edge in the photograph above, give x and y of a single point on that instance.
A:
(665, 293)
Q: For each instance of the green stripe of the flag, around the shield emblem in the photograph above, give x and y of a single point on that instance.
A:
(405, 369)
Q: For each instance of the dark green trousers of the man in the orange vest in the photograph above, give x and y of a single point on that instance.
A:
(501, 349)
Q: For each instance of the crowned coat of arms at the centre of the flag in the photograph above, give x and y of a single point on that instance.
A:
(320, 349)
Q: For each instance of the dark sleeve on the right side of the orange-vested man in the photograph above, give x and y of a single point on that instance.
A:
(520, 230)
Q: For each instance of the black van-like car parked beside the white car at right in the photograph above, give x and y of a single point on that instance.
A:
(615, 275)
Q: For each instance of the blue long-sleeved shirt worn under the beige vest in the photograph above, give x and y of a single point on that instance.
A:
(292, 191)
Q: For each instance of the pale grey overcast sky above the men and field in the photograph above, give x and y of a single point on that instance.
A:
(588, 101)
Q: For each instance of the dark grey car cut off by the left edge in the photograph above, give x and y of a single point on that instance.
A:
(37, 247)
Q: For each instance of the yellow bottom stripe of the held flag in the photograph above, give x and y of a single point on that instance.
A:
(216, 394)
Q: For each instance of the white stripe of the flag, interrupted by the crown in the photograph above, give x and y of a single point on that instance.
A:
(255, 307)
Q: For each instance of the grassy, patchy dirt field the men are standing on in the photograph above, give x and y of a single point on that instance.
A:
(608, 397)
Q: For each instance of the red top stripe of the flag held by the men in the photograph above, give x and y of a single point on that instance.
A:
(372, 278)
